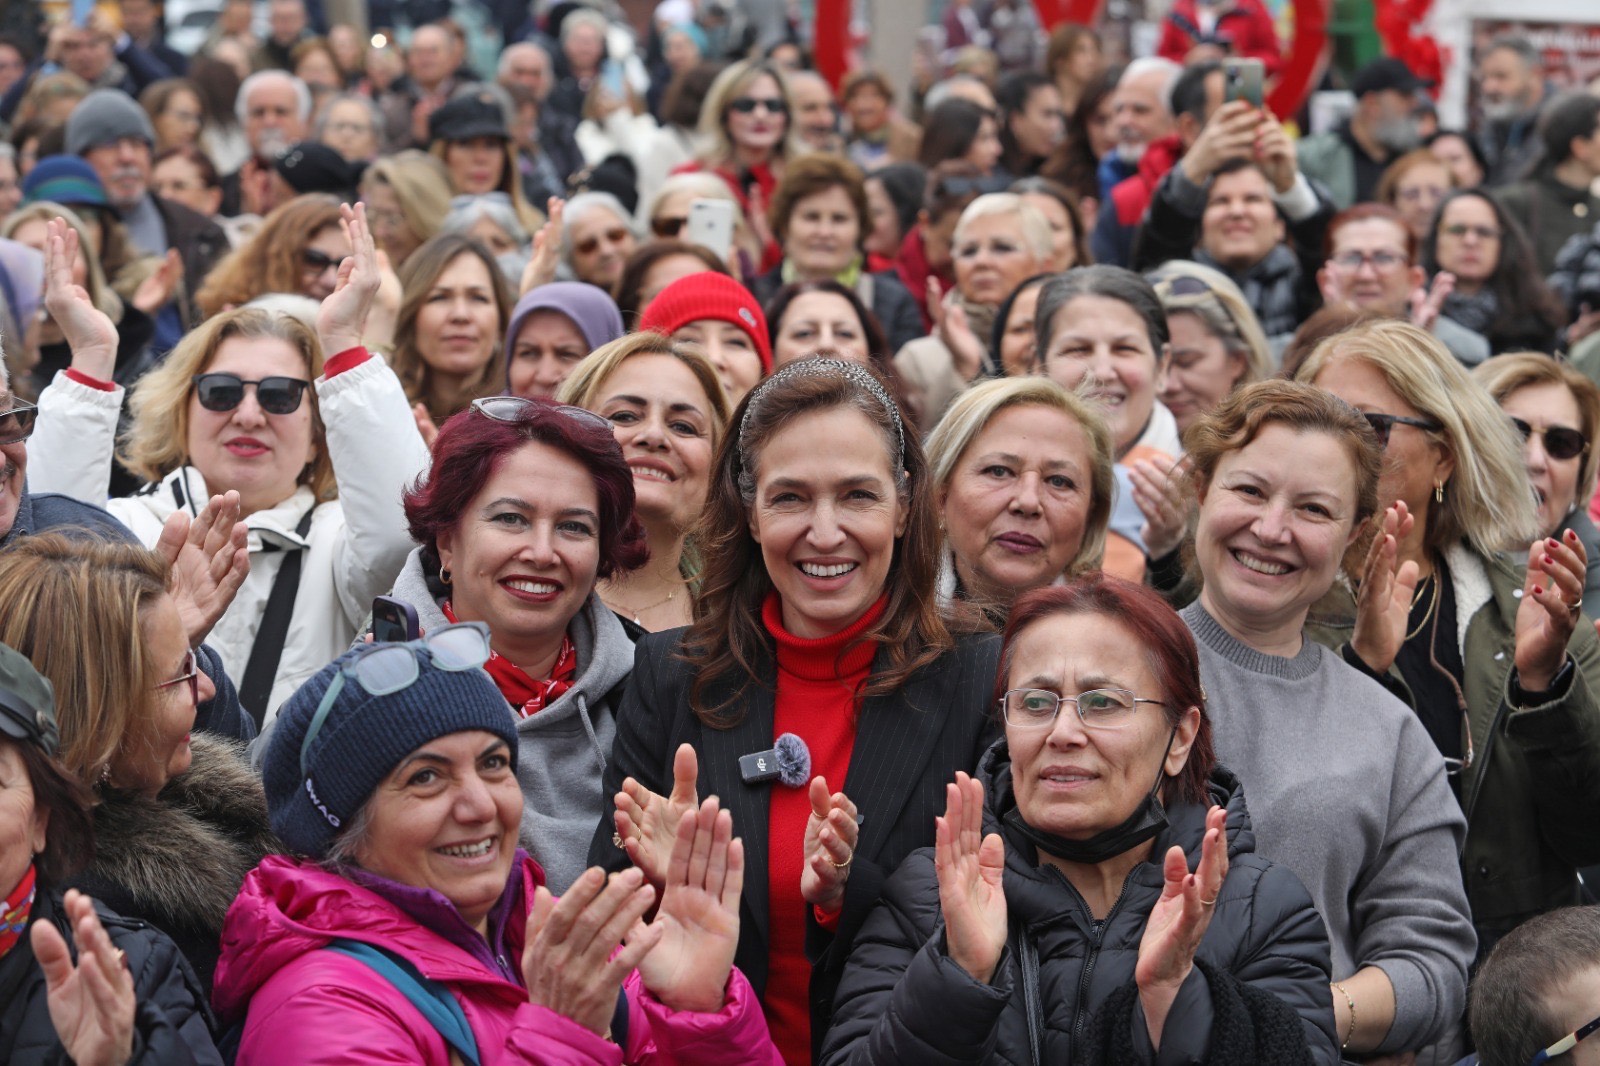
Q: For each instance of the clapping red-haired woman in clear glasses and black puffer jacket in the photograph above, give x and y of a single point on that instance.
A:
(1095, 894)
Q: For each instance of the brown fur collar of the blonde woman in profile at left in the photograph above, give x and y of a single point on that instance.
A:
(183, 856)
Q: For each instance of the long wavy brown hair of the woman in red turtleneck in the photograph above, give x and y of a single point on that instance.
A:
(729, 639)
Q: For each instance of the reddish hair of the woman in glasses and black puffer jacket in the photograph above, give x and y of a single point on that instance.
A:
(1169, 649)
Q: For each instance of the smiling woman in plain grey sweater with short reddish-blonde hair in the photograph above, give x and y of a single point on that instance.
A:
(1345, 785)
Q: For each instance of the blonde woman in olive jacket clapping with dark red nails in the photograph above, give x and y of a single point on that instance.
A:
(1481, 631)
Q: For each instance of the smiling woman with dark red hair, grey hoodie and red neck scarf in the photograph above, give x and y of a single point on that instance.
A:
(529, 505)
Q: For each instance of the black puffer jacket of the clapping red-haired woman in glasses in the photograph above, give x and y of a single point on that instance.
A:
(902, 998)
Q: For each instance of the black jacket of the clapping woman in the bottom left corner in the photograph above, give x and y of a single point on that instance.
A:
(172, 1025)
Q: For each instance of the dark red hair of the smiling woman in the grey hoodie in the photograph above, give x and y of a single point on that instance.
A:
(471, 447)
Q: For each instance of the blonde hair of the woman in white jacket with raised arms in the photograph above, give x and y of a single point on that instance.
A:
(158, 441)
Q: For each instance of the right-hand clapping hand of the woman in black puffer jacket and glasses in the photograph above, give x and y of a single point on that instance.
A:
(1178, 921)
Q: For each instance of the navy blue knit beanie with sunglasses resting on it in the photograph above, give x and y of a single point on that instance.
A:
(364, 739)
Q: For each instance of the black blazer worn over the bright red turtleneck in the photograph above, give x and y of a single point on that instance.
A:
(910, 745)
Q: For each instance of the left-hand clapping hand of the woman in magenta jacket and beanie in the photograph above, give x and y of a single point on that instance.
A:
(572, 963)
